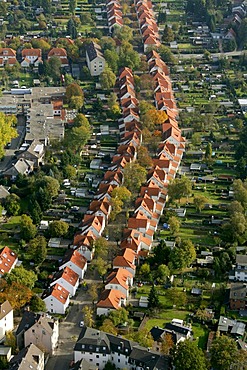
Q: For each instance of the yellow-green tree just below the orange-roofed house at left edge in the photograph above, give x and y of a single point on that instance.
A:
(21, 276)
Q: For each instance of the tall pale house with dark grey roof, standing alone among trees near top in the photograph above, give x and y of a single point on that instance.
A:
(95, 59)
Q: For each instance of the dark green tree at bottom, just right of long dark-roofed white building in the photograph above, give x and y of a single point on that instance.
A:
(187, 356)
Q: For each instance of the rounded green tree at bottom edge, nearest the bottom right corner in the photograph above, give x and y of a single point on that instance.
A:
(223, 353)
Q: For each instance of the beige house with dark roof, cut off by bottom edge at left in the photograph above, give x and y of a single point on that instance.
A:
(30, 357)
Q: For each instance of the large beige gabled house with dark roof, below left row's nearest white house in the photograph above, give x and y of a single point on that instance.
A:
(38, 329)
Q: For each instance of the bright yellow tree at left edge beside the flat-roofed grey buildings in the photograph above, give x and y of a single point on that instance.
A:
(7, 131)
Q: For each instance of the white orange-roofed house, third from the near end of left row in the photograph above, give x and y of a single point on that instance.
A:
(76, 261)
